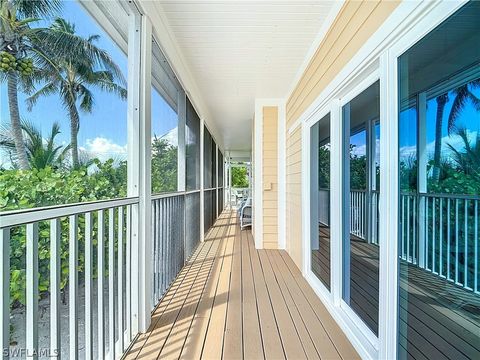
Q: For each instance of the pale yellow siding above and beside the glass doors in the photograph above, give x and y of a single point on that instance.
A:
(355, 24)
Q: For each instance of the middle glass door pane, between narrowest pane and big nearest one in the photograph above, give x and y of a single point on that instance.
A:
(360, 204)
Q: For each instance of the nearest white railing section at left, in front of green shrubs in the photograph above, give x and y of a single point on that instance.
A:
(103, 229)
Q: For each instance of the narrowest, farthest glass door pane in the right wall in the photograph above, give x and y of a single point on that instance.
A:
(320, 199)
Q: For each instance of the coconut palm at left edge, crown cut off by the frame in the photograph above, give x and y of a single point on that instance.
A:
(19, 43)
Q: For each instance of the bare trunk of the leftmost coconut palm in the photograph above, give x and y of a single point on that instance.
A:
(15, 121)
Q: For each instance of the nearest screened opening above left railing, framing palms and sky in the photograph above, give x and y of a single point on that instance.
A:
(72, 144)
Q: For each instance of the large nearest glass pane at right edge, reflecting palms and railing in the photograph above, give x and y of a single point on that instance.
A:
(439, 148)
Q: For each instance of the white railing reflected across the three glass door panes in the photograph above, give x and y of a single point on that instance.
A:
(439, 233)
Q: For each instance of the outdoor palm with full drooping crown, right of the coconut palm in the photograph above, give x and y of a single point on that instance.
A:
(76, 71)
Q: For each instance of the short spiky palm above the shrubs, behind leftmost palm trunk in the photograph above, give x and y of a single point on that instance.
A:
(40, 152)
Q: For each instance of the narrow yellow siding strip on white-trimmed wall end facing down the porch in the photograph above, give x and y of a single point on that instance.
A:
(270, 179)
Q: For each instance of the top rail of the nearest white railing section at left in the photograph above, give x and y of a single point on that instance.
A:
(25, 216)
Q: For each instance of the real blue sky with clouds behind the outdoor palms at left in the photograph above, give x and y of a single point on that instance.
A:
(105, 129)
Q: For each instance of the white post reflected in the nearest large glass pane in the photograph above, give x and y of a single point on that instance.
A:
(422, 174)
